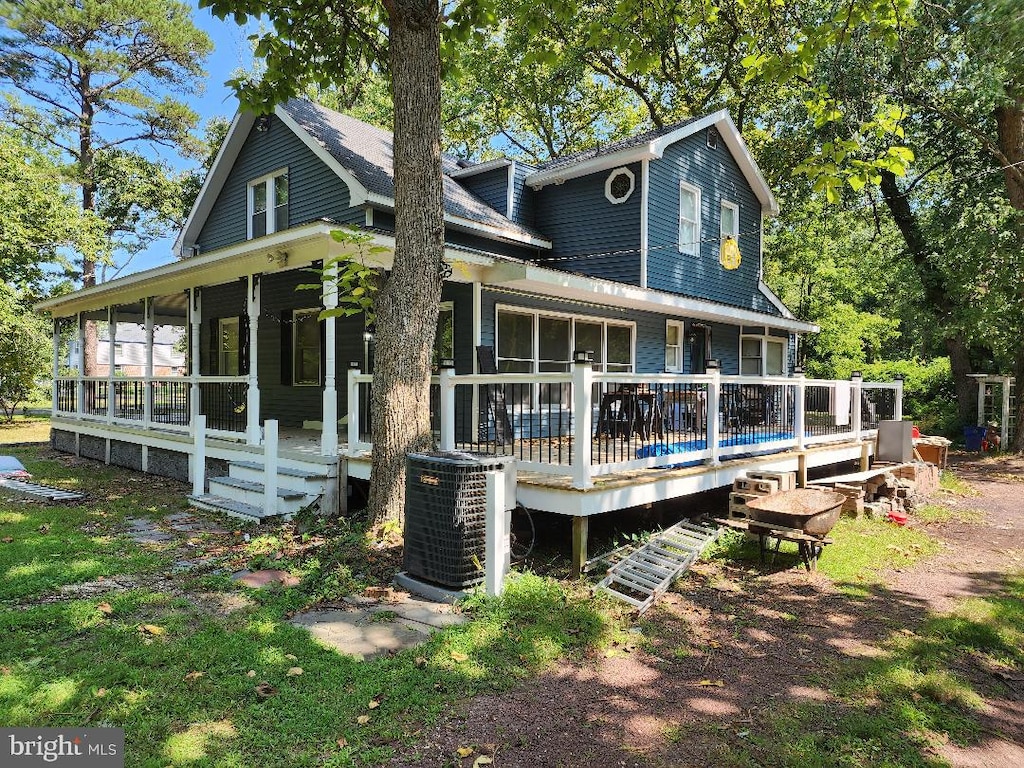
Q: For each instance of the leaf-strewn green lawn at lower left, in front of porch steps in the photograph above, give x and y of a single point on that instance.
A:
(180, 675)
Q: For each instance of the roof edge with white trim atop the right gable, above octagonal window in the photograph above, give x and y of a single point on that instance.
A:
(651, 146)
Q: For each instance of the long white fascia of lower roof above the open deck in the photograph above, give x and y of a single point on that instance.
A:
(554, 284)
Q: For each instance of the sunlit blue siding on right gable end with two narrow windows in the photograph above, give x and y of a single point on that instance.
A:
(719, 179)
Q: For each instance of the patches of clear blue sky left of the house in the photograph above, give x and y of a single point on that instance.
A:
(231, 53)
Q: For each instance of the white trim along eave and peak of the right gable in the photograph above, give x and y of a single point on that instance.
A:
(652, 151)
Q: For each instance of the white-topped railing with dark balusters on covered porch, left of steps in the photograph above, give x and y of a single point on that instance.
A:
(160, 403)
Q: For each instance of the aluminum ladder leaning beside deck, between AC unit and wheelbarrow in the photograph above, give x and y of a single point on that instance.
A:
(652, 569)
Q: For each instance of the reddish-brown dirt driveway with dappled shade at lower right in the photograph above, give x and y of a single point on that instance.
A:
(714, 663)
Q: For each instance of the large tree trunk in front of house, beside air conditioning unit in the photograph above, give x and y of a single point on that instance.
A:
(408, 304)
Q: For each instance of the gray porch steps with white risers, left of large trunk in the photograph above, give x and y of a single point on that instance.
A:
(240, 494)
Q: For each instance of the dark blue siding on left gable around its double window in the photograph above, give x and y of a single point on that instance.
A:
(316, 192)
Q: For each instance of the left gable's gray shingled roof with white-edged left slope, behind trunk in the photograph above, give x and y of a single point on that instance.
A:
(363, 157)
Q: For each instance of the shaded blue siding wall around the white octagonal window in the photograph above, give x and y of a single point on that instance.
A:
(590, 235)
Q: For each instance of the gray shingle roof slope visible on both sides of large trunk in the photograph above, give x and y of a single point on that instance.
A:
(367, 152)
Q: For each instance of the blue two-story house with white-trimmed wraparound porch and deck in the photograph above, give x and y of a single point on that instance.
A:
(646, 252)
